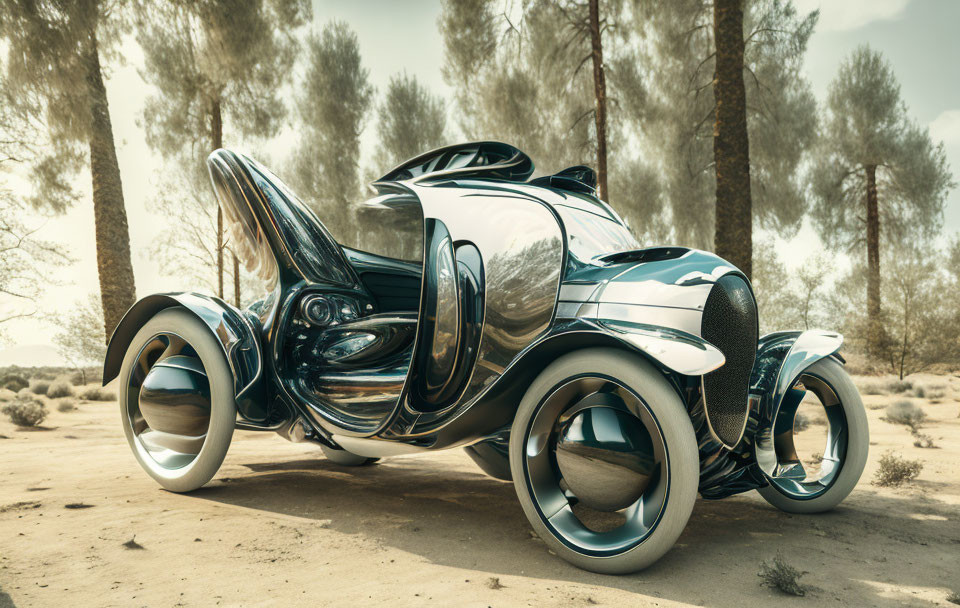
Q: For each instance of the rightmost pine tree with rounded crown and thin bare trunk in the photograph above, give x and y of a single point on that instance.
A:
(878, 176)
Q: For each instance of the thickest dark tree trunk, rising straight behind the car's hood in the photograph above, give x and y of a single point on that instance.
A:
(731, 148)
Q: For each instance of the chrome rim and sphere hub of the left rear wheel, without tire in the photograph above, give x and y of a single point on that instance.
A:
(168, 404)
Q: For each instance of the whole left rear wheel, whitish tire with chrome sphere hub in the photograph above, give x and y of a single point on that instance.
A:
(176, 400)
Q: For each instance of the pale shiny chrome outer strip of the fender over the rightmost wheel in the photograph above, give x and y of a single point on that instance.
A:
(808, 348)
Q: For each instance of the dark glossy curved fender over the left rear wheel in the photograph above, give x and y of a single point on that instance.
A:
(237, 335)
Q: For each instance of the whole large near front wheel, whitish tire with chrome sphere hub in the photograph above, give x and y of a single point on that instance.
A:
(604, 460)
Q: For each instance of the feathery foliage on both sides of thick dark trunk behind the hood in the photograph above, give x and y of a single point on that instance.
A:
(675, 118)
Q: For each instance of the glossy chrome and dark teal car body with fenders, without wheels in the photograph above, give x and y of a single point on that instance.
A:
(378, 356)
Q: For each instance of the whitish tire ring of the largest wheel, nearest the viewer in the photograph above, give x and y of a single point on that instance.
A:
(675, 427)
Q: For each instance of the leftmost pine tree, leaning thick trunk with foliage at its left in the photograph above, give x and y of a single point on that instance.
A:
(54, 71)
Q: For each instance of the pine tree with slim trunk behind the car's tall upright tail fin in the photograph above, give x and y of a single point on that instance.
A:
(214, 63)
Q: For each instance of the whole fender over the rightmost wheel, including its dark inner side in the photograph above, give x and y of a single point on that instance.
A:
(781, 358)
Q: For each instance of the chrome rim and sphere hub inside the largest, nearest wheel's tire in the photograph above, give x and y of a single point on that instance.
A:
(593, 447)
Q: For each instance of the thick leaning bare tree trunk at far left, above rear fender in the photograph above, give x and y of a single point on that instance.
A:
(117, 289)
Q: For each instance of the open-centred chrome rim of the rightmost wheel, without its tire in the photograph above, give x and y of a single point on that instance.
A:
(793, 477)
